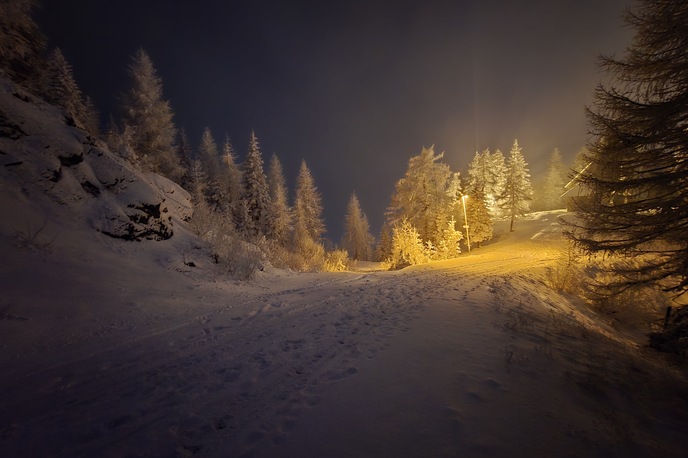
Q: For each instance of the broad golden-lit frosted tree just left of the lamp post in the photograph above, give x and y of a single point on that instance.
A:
(421, 195)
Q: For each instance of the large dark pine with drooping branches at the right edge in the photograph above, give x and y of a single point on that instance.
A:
(638, 176)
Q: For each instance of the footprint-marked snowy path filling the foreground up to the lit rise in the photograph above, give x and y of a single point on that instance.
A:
(470, 357)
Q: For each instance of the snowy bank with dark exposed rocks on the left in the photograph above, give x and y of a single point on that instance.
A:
(48, 163)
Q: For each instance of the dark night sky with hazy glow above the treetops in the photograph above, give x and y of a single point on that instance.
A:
(355, 87)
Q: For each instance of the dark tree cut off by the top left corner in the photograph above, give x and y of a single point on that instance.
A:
(21, 43)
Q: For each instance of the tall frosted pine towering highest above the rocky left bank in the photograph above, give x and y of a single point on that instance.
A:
(151, 118)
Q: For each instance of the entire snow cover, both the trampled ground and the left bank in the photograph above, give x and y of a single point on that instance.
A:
(116, 348)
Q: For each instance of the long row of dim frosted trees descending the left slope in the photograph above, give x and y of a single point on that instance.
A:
(232, 200)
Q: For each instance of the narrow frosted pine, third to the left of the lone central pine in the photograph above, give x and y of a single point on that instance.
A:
(256, 193)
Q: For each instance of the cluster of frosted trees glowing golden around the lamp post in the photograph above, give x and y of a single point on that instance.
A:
(430, 204)
